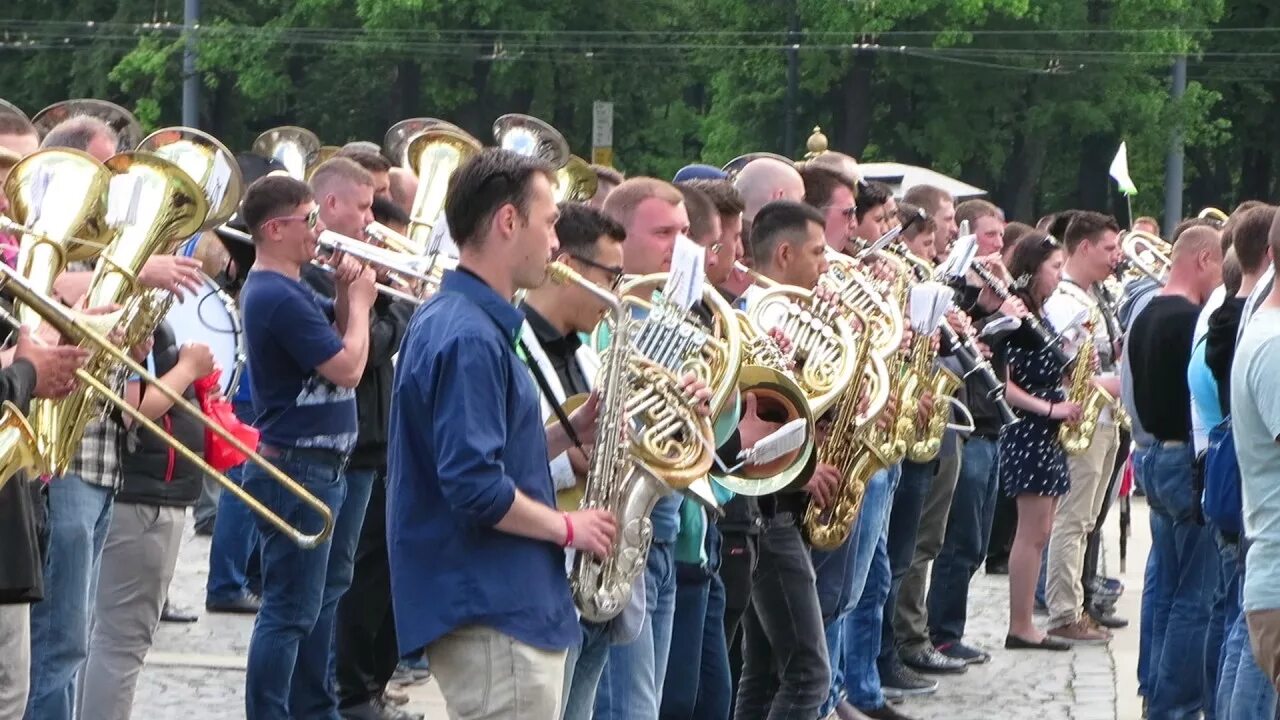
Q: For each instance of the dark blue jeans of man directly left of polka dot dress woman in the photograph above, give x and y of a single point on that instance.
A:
(973, 508)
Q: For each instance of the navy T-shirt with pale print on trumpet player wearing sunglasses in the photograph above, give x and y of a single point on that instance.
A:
(290, 332)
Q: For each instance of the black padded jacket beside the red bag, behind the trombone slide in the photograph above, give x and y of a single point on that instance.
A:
(153, 472)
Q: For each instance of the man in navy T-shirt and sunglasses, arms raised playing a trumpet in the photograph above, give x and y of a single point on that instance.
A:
(308, 356)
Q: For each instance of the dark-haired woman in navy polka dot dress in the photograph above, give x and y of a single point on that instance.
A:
(1032, 463)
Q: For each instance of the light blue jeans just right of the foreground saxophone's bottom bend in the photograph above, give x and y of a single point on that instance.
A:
(633, 678)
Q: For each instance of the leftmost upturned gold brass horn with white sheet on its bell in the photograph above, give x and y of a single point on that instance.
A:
(58, 202)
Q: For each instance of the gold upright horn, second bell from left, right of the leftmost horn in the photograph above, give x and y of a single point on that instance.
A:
(152, 206)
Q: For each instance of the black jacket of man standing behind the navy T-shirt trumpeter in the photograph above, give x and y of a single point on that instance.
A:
(374, 393)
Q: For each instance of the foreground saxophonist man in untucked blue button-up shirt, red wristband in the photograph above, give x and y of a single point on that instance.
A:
(476, 541)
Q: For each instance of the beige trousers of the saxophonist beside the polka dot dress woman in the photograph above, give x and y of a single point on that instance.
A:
(1073, 522)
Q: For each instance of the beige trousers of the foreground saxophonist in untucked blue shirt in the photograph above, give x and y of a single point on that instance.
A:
(484, 675)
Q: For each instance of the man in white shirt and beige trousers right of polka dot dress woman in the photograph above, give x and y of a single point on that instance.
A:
(1091, 243)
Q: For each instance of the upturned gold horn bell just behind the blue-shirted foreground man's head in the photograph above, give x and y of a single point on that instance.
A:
(433, 156)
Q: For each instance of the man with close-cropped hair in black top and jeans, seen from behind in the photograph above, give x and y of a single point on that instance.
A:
(1183, 557)
